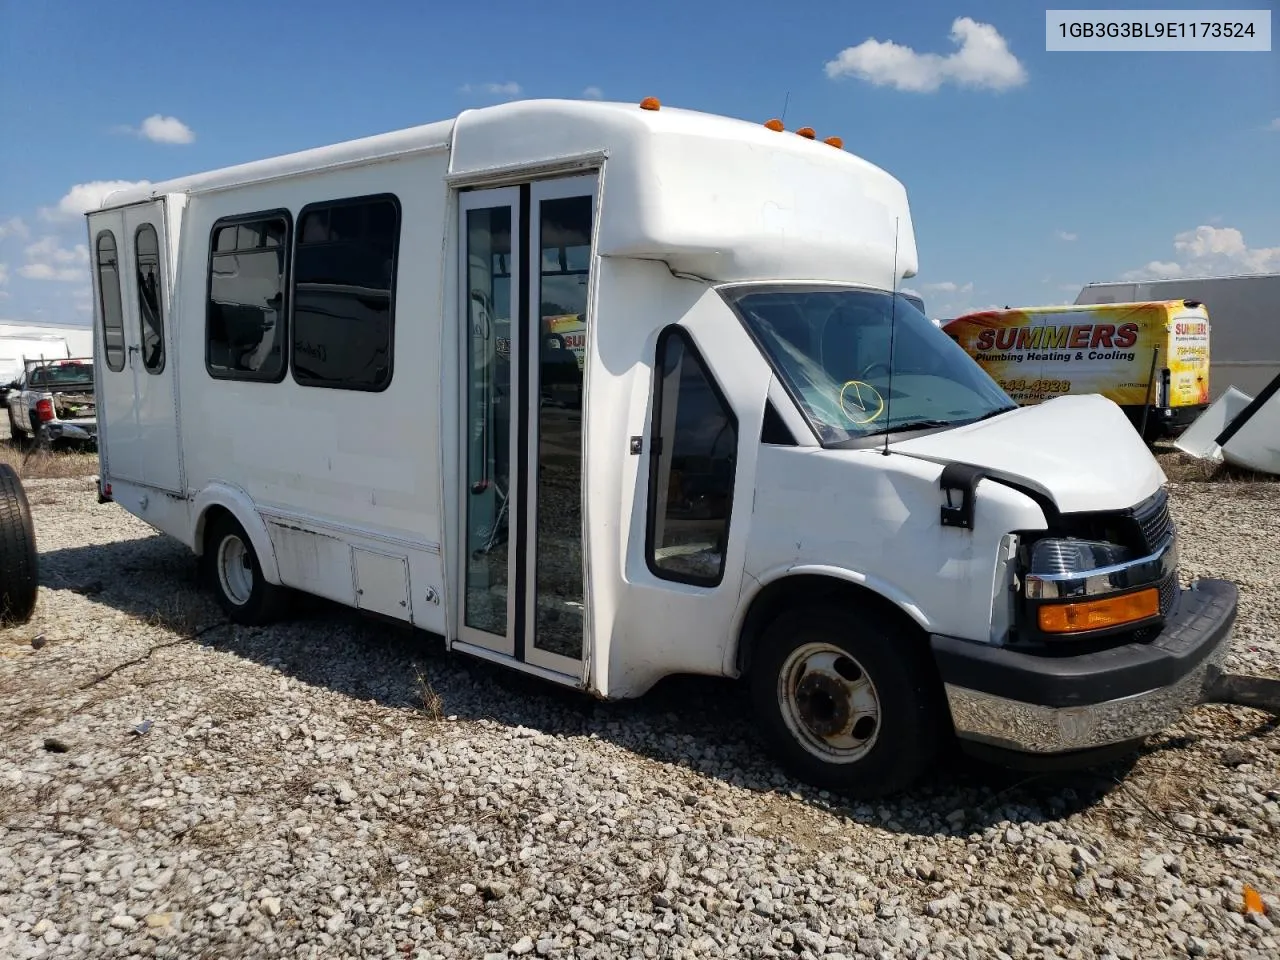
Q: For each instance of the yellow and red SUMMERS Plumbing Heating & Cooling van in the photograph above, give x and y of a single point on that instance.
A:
(1150, 359)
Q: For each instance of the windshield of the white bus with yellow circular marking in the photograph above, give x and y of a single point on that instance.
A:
(830, 346)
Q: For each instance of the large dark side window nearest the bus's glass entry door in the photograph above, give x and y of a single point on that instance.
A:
(345, 292)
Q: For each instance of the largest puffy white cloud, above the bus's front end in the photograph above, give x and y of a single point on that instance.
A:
(982, 62)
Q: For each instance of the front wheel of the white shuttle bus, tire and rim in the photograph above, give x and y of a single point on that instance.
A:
(810, 687)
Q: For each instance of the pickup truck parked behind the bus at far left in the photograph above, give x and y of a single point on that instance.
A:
(53, 403)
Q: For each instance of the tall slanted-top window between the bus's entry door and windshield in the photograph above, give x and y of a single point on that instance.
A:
(693, 463)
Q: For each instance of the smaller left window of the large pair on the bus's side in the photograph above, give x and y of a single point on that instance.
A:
(246, 309)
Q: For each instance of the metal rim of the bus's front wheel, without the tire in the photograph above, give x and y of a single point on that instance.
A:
(829, 703)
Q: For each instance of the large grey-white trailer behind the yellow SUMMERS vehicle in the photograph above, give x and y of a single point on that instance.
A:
(1245, 310)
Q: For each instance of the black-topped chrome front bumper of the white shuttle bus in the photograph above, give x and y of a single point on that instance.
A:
(1043, 706)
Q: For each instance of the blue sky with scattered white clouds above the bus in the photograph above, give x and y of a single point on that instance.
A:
(1030, 173)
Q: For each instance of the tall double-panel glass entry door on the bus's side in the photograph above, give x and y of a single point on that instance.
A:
(527, 259)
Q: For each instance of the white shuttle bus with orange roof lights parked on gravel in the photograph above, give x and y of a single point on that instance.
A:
(349, 373)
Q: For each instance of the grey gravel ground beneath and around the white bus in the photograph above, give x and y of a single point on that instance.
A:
(176, 787)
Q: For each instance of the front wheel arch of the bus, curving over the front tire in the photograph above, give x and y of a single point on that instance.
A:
(801, 586)
